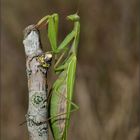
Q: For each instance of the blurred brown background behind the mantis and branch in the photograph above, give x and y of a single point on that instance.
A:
(107, 83)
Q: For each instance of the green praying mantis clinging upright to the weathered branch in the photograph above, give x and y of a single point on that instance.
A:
(60, 104)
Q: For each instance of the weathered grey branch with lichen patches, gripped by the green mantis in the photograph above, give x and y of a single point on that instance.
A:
(37, 64)
